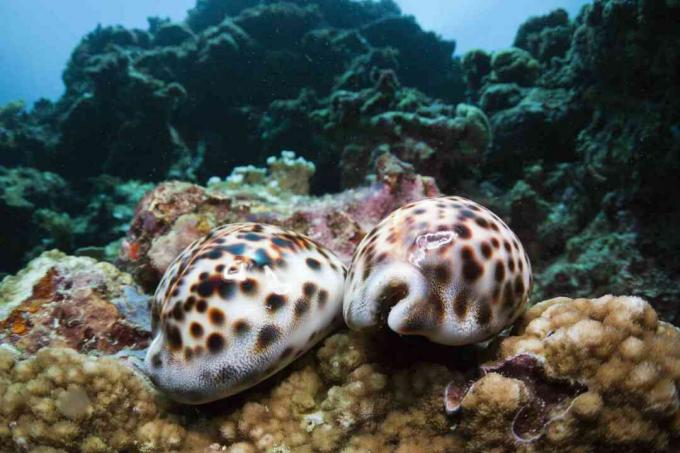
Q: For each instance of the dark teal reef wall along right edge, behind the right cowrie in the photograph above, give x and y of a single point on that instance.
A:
(585, 150)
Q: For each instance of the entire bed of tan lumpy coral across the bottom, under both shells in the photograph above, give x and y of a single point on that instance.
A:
(578, 375)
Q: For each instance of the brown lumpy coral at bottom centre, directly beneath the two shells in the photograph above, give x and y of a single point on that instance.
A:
(346, 402)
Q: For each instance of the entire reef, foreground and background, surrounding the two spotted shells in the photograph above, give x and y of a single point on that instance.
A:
(572, 136)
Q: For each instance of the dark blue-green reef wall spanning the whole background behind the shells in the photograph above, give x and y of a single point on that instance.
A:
(575, 146)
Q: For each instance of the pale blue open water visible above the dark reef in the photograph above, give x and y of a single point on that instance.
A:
(37, 36)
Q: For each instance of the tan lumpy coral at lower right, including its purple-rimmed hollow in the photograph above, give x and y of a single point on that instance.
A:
(622, 363)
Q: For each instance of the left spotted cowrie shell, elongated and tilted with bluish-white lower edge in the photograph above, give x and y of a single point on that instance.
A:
(238, 305)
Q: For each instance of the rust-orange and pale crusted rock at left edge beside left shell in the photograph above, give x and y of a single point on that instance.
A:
(76, 302)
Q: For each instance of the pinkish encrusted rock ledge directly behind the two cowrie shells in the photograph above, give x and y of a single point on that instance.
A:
(175, 214)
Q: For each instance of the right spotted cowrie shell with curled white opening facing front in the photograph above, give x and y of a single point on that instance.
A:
(445, 268)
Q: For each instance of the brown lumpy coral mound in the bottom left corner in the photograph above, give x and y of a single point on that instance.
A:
(65, 400)
